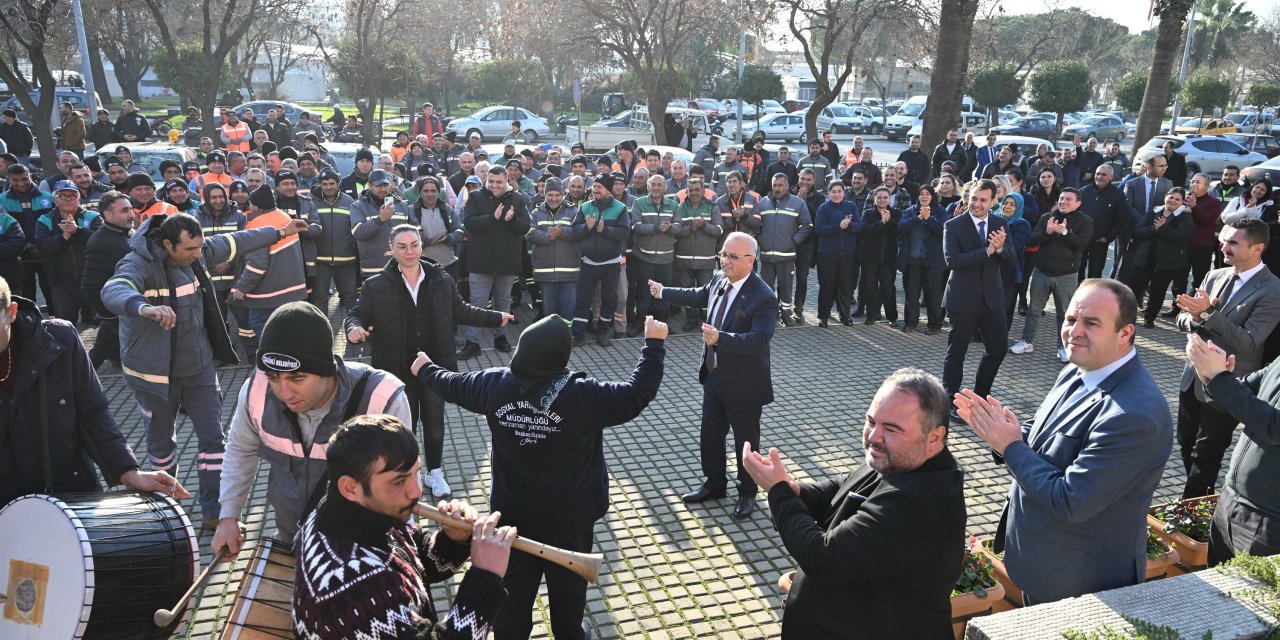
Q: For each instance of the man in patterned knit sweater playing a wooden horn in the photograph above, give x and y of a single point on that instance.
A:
(364, 572)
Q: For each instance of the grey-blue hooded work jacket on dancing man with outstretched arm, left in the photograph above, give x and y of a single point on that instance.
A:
(145, 277)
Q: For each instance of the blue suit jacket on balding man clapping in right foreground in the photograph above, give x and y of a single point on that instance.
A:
(1077, 513)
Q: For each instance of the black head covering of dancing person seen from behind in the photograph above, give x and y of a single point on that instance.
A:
(541, 360)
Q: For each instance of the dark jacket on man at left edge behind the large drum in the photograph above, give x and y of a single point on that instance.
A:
(76, 414)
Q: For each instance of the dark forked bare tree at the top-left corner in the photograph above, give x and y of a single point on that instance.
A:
(26, 30)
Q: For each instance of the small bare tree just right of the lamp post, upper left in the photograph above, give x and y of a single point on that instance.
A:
(126, 34)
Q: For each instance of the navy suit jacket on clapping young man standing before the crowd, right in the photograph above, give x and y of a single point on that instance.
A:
(976, 278)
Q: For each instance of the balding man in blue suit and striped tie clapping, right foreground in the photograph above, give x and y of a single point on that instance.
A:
(1087, 465)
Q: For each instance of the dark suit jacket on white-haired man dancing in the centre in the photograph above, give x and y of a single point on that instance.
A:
(743, 350)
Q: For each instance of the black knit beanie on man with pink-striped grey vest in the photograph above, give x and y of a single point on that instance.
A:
(298, 339)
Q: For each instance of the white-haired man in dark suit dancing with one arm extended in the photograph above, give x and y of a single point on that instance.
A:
(742, 314)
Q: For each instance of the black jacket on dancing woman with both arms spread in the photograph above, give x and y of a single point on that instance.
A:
(399, 328)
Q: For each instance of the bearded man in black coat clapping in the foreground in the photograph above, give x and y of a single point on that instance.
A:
(880, 550)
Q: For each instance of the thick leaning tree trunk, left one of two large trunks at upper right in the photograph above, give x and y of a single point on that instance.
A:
(950, 63)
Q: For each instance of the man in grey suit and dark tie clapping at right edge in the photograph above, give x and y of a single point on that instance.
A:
(1237, 308)
